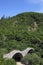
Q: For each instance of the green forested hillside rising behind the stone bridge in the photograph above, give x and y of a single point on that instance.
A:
(22, 31)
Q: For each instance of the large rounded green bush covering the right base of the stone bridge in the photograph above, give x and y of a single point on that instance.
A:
(31, 59)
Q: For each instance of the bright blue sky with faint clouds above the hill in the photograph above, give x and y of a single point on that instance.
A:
(14, 7)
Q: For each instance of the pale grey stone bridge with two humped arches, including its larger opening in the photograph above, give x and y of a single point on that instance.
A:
(17, 54)
